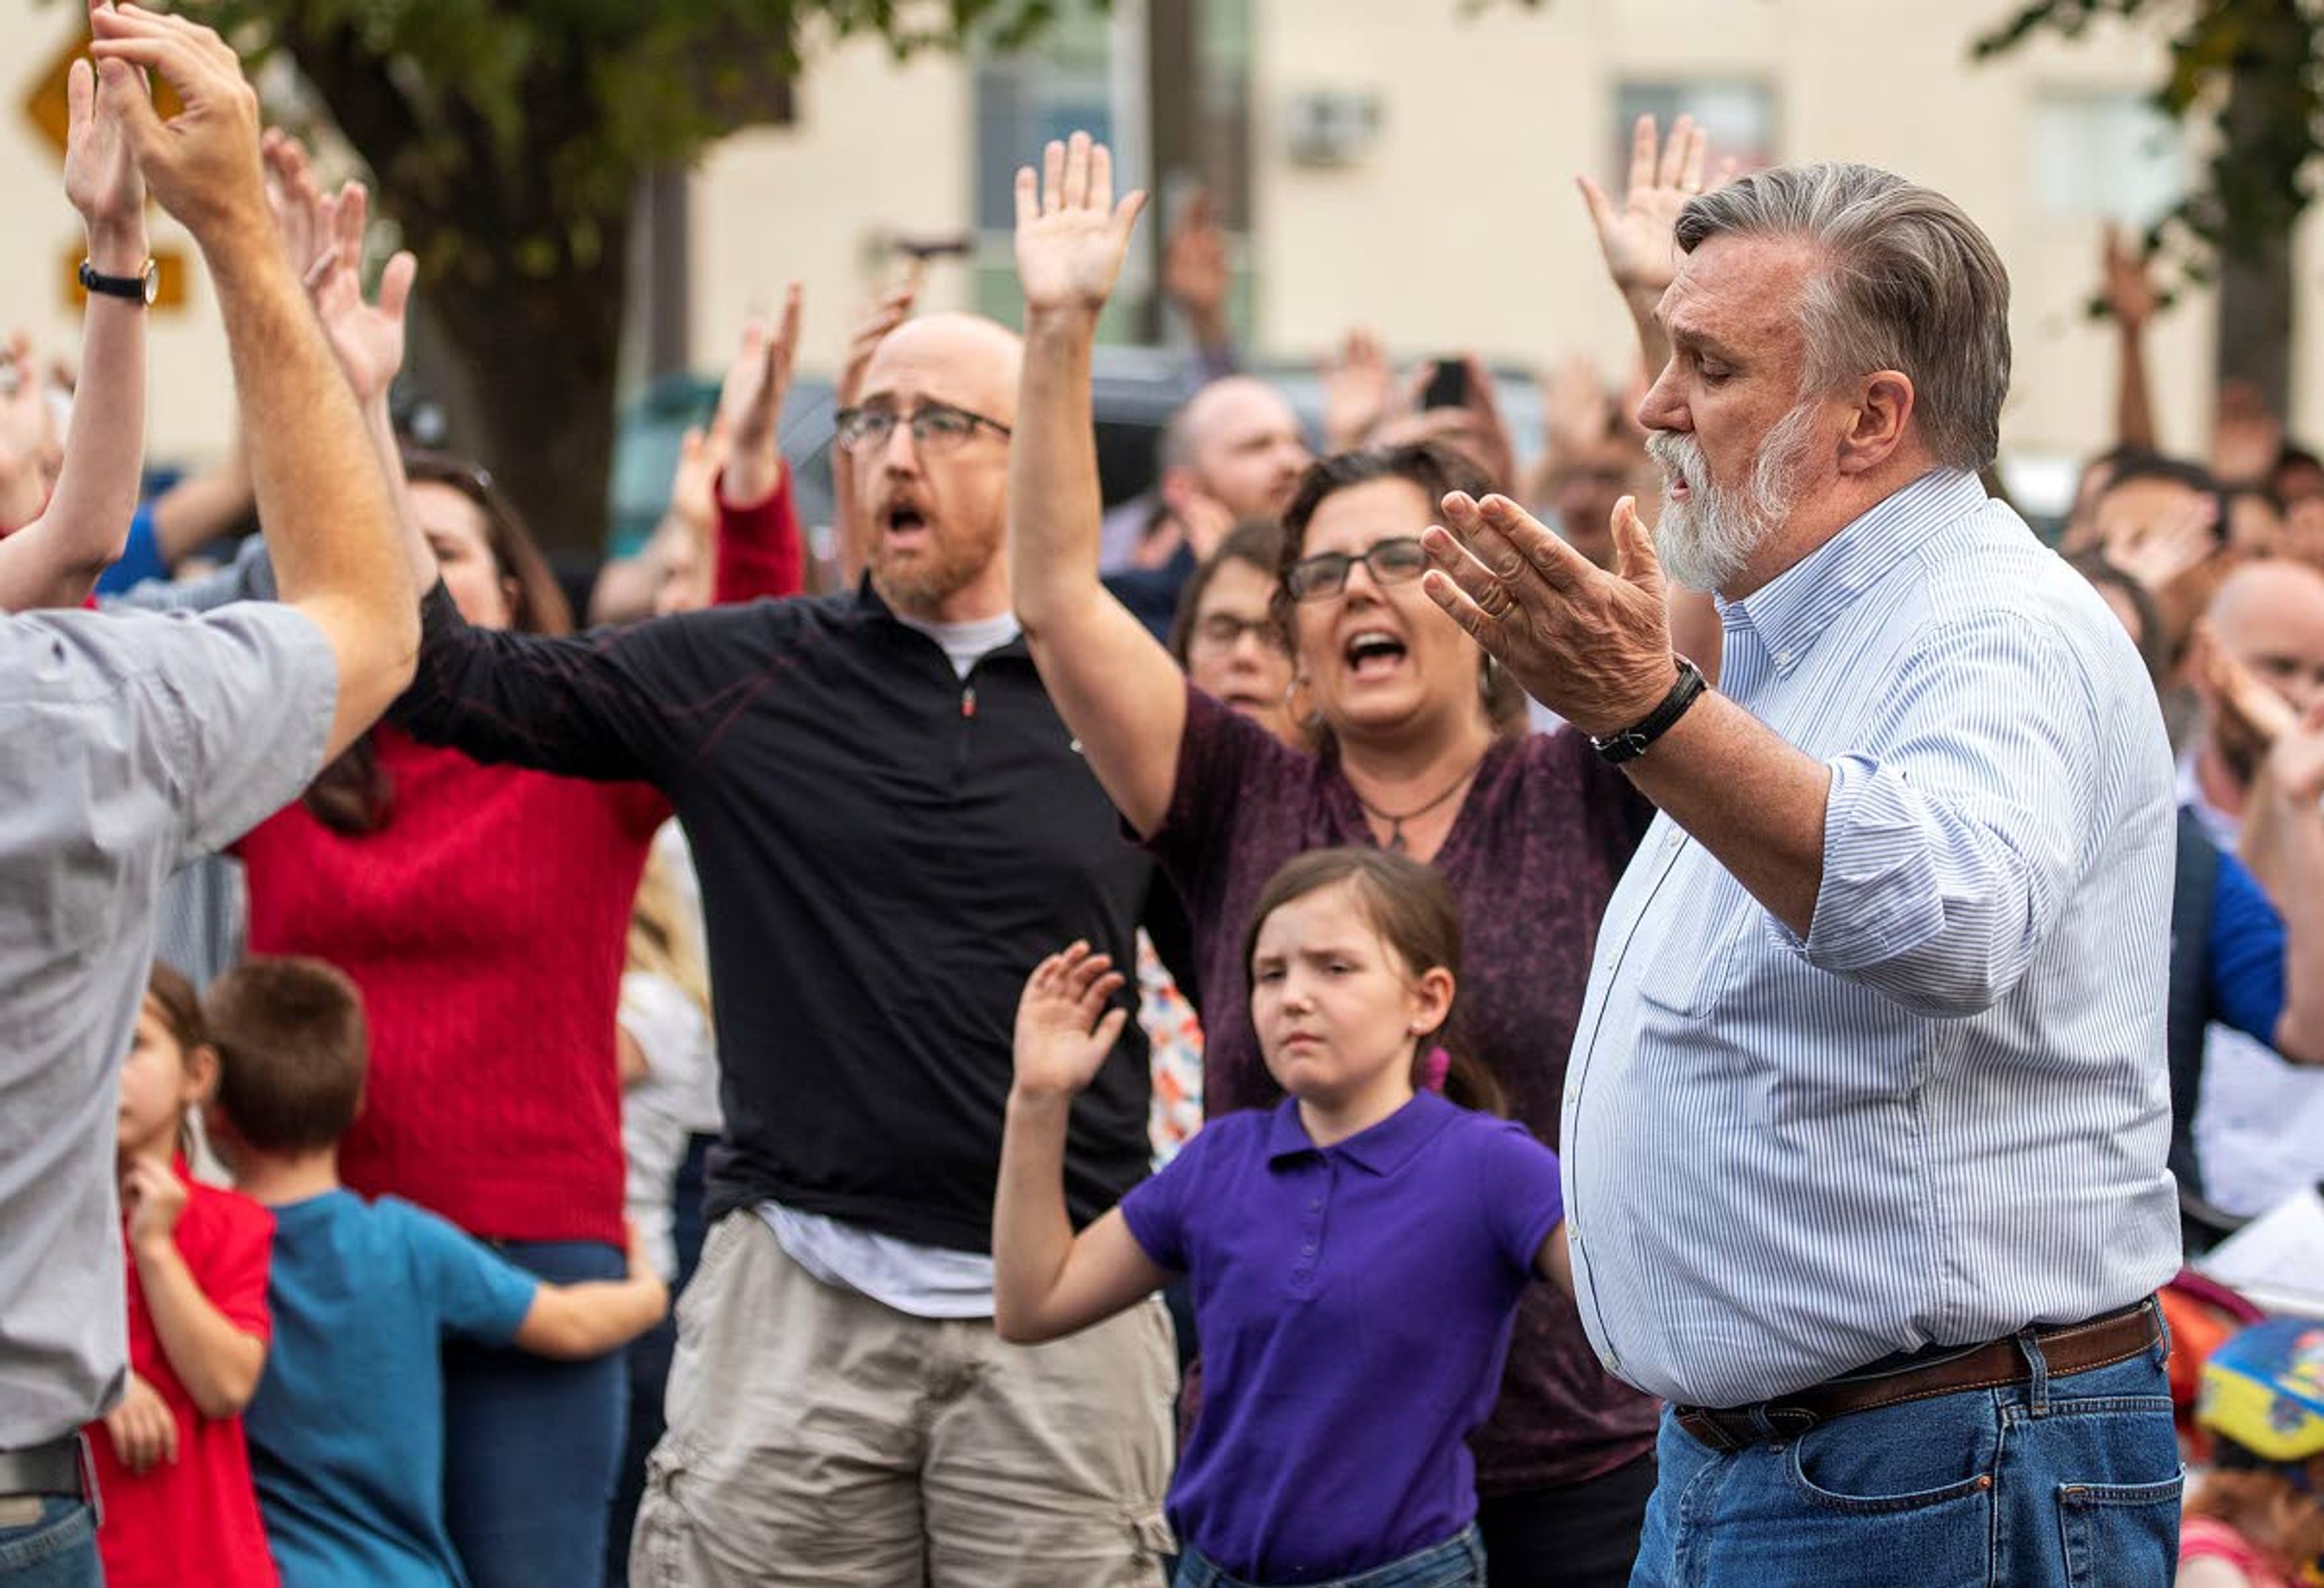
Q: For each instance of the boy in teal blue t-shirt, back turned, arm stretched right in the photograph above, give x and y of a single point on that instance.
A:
(347, 1429)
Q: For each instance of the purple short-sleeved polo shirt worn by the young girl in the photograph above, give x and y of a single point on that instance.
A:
(1354, 1308)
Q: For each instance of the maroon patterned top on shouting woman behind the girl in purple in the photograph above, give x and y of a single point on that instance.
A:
(1533, 859)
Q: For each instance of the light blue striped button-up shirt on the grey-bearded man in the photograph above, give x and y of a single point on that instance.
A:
(1944, 1115)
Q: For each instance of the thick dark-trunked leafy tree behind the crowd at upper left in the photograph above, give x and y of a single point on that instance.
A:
(510, 143)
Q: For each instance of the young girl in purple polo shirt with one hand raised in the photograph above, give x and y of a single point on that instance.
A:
(1356, 1254)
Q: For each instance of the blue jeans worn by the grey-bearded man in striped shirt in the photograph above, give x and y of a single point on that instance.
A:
(2039, 1485)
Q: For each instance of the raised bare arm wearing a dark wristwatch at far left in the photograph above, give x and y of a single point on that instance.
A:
(55, 561)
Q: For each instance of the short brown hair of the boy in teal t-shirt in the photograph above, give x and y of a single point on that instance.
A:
(292, 1052)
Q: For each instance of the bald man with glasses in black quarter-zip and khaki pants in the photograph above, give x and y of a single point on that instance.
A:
(891, 829)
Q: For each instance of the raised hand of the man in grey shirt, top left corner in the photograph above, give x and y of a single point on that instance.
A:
(203, 162)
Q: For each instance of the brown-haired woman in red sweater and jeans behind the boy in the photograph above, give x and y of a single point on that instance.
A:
(482, 913)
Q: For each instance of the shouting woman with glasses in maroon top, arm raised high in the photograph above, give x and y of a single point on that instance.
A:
(1528, 831)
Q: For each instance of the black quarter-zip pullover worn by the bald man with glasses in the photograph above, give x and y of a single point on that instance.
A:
(887, 852)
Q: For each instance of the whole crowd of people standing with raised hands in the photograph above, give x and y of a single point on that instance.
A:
(1375, 1015)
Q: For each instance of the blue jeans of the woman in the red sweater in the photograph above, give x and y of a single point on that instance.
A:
(531, 1447)
